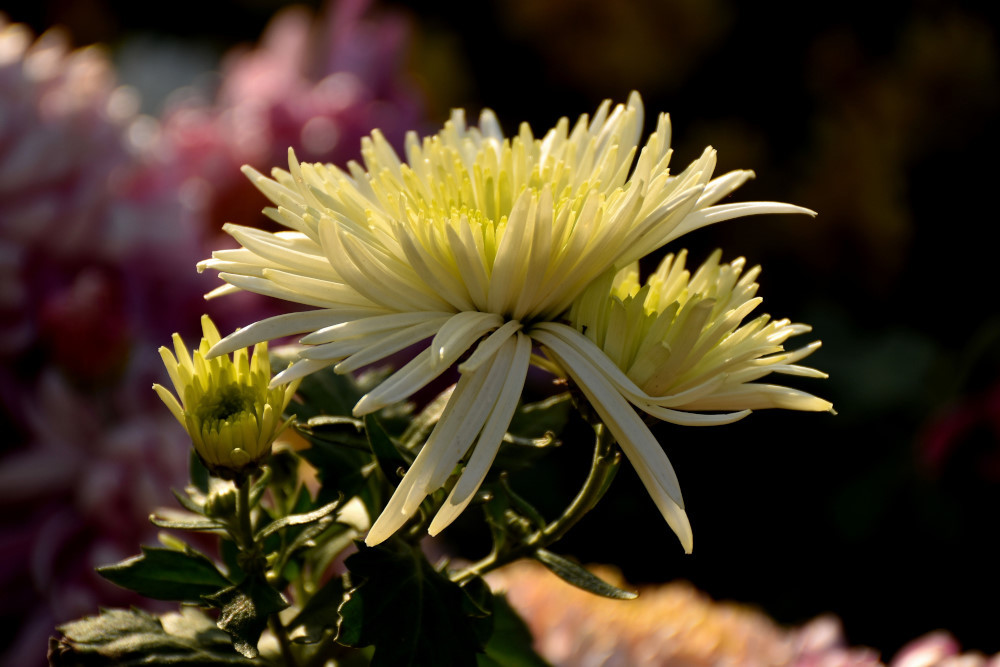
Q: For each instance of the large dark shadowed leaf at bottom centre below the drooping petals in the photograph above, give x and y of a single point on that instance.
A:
(409, 611)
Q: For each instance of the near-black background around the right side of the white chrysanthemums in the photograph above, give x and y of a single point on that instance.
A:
(881, 117)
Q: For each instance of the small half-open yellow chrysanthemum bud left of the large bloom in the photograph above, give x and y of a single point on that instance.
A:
(225, 403)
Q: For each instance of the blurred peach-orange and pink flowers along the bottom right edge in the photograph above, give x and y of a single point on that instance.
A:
(674, 625)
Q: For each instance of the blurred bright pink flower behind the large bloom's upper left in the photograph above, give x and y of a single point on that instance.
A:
(317, 84)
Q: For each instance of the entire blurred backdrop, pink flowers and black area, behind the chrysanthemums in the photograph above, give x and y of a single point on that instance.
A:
(883, 117)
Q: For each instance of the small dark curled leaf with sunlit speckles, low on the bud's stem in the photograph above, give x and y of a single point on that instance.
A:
(245, 610)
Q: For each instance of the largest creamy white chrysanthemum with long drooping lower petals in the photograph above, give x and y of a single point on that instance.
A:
(479, 241)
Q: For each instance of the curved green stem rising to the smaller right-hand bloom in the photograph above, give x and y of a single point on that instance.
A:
(603, 468)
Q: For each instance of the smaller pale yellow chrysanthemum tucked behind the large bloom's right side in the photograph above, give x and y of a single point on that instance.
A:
(680, 344)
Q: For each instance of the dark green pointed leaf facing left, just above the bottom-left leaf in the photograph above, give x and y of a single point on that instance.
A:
(167, 574)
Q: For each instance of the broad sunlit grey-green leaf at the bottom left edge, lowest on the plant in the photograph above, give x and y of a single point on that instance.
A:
(132, 637)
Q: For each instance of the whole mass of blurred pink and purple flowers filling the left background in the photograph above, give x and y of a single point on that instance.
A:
(103, 216)
